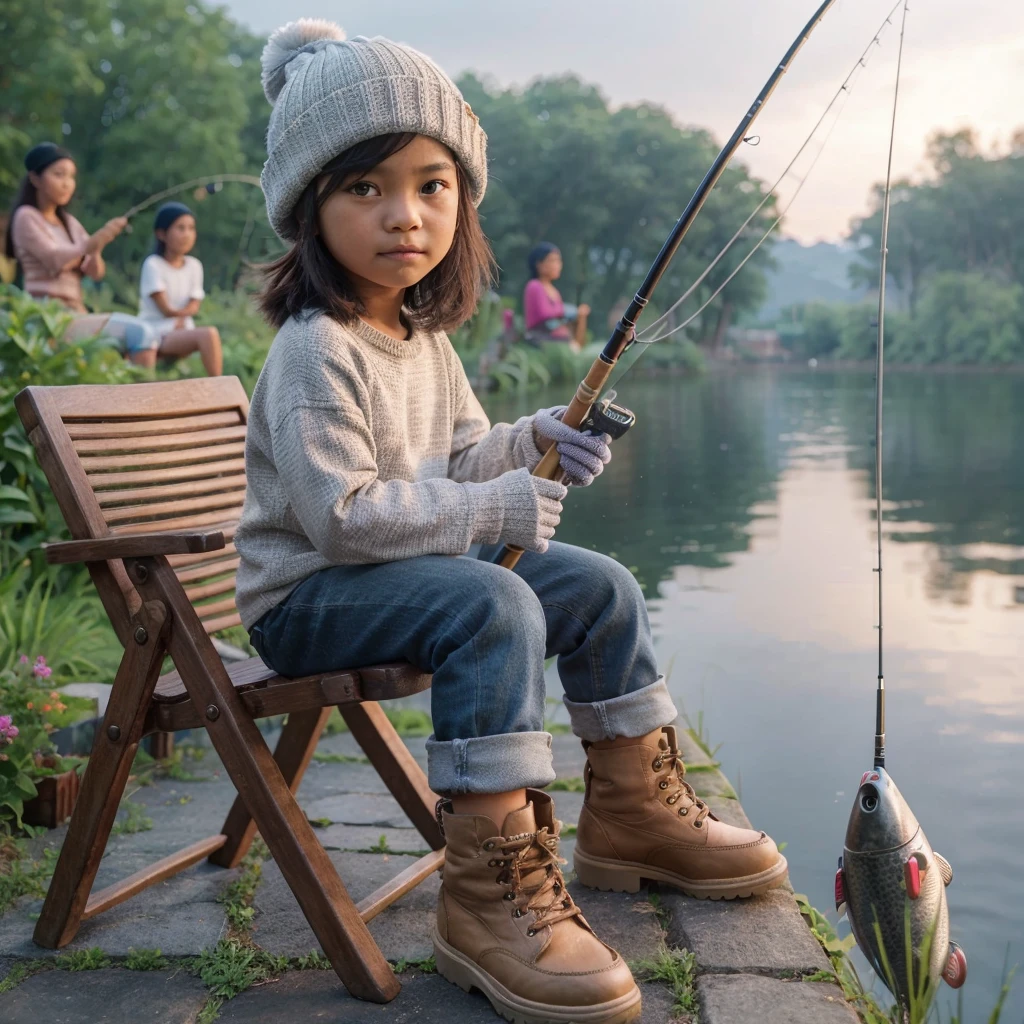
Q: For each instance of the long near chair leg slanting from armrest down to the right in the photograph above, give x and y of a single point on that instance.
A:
(305, 864)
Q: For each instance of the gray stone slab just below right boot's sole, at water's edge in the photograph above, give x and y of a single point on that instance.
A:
(765, 935)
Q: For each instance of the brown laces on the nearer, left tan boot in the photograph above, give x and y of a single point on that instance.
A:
(531, 868)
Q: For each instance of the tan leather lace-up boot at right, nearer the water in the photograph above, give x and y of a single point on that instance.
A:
(642, 820)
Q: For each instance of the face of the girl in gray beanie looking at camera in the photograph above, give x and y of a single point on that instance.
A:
(391, 227)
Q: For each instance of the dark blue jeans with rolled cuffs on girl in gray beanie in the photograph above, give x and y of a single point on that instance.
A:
(485, 632)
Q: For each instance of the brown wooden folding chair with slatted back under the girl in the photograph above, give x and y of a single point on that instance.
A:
(151, 480)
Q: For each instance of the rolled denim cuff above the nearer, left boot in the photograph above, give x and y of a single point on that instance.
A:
(490, 764)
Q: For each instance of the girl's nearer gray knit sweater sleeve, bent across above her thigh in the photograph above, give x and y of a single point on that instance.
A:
(325, 455)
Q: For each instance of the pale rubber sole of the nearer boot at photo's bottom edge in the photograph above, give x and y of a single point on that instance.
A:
(461, 971)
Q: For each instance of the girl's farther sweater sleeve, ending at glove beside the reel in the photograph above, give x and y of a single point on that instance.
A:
(481, 452)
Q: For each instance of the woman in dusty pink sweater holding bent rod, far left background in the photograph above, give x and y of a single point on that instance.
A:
(55, 251)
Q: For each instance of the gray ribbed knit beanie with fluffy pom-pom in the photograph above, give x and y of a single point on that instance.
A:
(330, 93)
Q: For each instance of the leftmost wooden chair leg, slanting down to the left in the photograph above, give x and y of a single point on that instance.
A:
(104, 783)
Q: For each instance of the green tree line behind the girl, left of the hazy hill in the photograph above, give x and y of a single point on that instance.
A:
(150, 94)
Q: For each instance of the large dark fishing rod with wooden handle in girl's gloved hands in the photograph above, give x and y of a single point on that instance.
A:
(610, 419)
